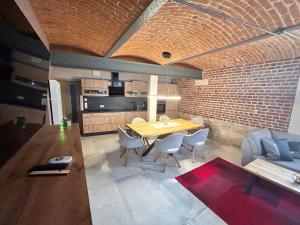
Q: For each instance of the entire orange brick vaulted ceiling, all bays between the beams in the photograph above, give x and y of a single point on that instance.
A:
(95, 25)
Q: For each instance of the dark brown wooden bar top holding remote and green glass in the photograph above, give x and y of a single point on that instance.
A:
(45, 200)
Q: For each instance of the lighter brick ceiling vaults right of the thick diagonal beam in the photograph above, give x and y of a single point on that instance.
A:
(186, 32)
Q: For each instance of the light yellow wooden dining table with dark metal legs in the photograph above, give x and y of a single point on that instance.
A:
(161, 129)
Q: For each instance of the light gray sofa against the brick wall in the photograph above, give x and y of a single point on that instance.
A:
(252, 148)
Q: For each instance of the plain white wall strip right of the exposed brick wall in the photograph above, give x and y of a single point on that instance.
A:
(294, 126)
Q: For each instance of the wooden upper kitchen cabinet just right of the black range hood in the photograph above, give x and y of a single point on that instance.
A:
(136, 89)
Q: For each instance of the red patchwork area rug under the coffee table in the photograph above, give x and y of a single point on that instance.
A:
(220, 185)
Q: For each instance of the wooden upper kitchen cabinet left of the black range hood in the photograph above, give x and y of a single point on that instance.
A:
(93, 87)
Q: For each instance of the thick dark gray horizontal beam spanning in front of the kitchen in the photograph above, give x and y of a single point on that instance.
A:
(98, 63)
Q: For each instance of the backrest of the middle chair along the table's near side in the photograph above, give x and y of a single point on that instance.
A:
(173, 141)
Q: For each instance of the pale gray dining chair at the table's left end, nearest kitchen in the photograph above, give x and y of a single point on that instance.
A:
(127, 143)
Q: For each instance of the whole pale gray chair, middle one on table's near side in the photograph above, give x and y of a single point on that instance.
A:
(168, 146)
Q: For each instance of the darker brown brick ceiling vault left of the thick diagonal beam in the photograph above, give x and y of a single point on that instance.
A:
(89, 25)
